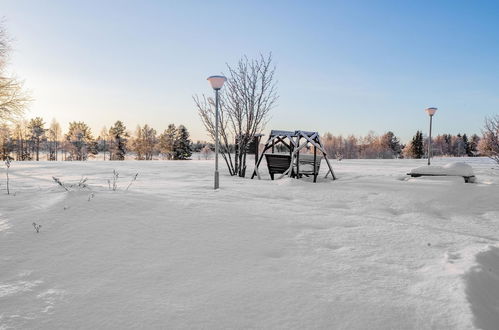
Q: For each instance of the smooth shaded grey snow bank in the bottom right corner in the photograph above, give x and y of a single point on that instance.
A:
(482, 289)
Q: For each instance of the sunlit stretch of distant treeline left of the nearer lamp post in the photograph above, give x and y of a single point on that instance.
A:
(28, 140)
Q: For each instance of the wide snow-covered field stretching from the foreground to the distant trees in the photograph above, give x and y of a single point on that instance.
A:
(372, 250)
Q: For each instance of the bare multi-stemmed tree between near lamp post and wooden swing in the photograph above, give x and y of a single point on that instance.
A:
(245, 102)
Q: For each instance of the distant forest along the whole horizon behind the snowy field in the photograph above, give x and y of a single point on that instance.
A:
(35, 140)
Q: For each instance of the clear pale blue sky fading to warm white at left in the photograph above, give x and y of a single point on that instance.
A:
(342, 66)
